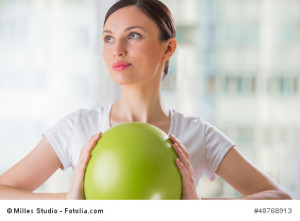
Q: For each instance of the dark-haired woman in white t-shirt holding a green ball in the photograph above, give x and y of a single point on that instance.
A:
(139, 40)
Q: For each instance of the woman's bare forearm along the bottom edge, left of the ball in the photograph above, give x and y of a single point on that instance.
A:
(11, 193)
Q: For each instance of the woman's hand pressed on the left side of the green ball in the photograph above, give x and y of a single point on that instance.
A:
(76, 191)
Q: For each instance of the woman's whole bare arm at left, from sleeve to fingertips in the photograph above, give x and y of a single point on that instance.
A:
(27, 175)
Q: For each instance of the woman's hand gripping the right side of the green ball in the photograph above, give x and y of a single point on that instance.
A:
(186, 170)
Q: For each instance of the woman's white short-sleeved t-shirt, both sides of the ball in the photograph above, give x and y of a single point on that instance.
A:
(206, 144)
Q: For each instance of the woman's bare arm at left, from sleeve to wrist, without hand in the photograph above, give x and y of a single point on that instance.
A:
(28, 174)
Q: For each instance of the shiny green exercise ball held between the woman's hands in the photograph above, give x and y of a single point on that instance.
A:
(133, 161)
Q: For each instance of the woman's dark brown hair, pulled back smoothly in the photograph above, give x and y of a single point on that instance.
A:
(155, 10)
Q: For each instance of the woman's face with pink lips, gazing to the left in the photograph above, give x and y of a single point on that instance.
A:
(132, 49)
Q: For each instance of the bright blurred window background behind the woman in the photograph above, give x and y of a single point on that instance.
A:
(237, 65)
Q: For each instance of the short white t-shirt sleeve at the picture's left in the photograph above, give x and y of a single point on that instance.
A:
(61, 136)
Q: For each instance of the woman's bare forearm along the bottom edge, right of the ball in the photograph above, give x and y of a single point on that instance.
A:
(264, 195)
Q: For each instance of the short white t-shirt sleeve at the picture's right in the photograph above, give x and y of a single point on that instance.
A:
(217, 145)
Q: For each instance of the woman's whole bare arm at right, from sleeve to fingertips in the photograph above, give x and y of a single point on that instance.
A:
(236, 170)
